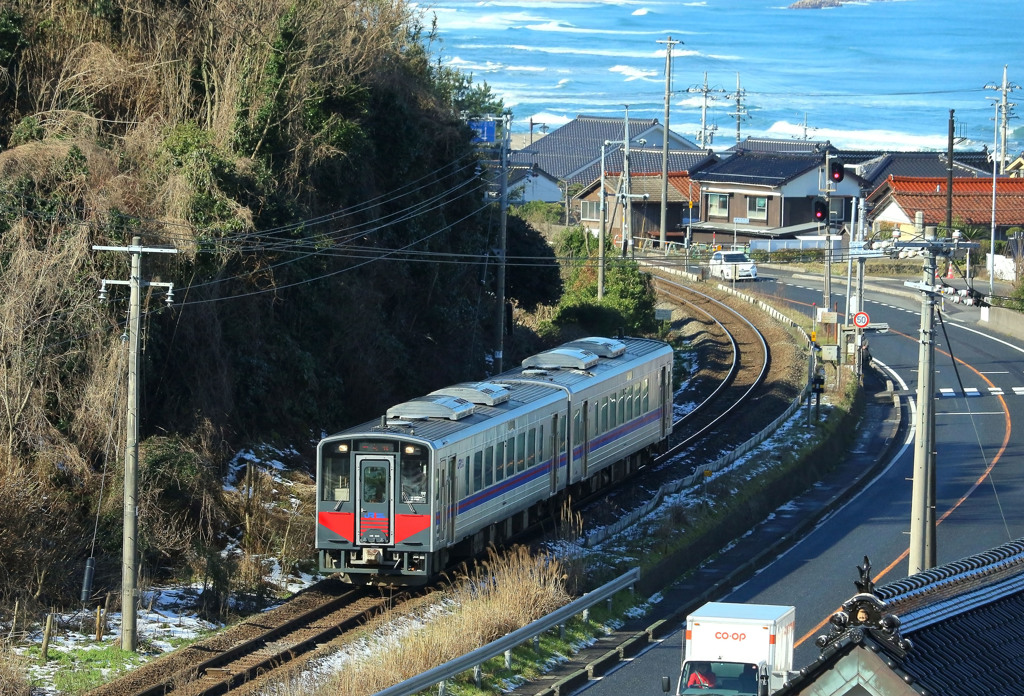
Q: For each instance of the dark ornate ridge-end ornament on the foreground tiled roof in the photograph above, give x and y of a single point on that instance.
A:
(865, 615)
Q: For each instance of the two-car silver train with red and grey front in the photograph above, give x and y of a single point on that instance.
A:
(442, 476)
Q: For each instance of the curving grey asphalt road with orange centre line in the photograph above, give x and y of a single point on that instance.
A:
(980, 475)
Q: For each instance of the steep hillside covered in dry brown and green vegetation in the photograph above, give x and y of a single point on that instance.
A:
(310, 162)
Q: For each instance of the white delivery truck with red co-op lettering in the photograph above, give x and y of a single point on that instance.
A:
(737, 649)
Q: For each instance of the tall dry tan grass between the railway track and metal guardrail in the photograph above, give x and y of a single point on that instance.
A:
(503, 594)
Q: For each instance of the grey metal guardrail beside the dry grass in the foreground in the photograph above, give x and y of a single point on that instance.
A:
(506, 644)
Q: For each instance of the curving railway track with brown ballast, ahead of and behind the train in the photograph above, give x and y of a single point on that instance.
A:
(736, 364)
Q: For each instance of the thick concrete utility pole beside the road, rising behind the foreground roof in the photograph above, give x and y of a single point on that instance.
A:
(923, 523)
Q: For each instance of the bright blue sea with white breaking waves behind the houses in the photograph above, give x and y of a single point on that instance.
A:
(867, 75)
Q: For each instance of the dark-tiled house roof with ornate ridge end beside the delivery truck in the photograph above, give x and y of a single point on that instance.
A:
(956, 630)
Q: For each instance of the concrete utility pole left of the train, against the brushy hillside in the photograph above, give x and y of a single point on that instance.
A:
(130, 574)
